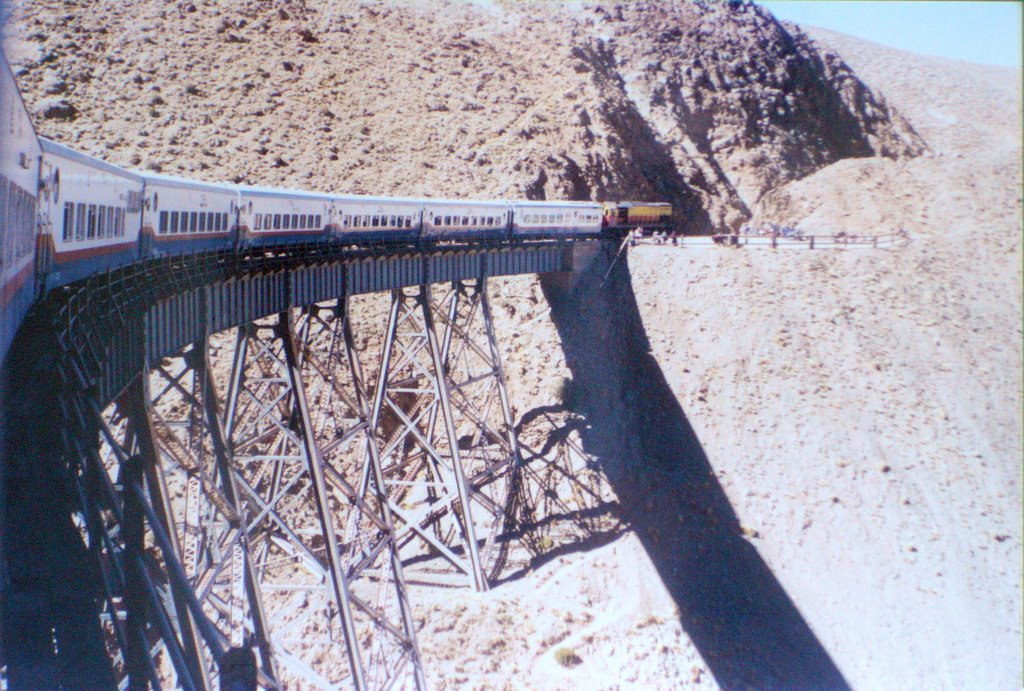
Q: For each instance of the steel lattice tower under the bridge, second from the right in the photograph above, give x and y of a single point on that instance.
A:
(322, 538)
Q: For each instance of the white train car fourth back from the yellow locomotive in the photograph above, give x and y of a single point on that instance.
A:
(270, 217)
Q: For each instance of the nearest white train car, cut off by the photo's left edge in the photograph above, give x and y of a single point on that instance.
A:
(19, 188)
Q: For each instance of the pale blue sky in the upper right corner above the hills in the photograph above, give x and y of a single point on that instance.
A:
(977, 32)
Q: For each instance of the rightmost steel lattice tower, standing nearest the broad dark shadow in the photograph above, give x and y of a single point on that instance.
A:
(449, 451)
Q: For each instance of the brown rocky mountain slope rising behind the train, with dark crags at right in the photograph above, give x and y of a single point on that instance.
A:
(708, 106)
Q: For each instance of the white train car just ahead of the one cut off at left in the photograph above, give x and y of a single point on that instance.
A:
(91, 214)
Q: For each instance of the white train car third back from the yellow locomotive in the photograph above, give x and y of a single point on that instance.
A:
(365, 219)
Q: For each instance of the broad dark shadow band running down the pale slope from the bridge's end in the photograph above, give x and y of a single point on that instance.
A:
(744, 624)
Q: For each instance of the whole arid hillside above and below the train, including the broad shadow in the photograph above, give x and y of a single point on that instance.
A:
(805, 466)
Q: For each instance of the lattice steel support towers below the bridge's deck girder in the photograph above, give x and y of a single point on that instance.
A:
(257, 503)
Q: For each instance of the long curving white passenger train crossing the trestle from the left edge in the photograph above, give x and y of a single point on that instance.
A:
(66, 215)
